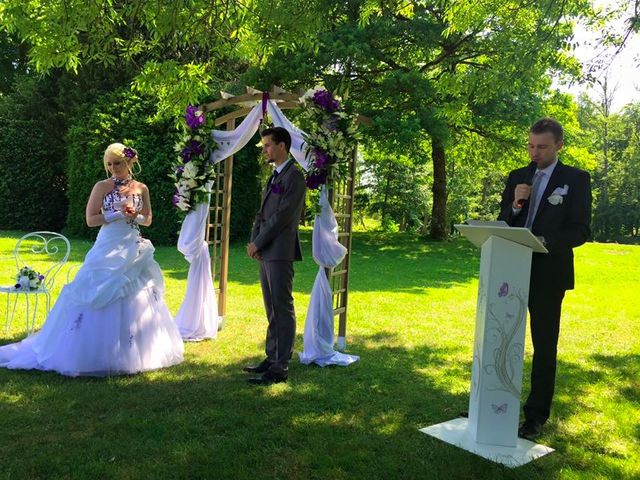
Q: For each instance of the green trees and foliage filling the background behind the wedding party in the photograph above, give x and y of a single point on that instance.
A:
(451, 88)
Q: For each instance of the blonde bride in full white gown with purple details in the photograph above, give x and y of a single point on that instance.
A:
(112, 319)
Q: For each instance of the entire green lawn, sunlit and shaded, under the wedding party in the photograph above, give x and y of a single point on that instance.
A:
(411, 319)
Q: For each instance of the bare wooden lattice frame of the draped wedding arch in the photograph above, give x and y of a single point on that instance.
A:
(341, 195)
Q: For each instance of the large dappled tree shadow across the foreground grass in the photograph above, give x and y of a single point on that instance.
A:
(201, 419)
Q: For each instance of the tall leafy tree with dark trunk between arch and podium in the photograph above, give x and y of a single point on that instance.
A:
(438, 68)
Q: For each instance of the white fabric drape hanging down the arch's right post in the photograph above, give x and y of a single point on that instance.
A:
(328, 252)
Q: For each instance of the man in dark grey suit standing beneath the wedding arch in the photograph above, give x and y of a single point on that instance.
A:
(276, 245)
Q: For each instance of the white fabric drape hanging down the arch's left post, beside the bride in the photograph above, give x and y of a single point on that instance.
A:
(198, 317)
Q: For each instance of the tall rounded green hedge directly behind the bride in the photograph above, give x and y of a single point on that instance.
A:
(121, 116)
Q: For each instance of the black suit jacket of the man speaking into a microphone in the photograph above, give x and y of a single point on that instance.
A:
(563, 226)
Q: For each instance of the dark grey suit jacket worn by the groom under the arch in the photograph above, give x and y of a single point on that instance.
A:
(275, 229)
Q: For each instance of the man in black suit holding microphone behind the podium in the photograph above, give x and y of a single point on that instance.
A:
(554, 201)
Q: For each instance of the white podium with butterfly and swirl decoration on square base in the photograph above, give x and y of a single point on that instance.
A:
(491, 429)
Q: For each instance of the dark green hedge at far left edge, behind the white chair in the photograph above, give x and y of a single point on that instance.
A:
(32, 176)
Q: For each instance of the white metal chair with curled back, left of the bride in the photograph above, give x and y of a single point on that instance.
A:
(46, 253)
